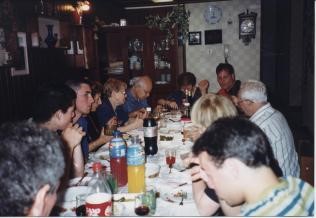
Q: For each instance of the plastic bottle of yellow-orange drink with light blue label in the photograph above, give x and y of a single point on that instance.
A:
(135, 166)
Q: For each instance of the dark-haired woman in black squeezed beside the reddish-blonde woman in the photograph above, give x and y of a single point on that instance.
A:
(95, 132)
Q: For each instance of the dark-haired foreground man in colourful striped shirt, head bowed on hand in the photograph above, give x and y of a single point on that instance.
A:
(237, 161)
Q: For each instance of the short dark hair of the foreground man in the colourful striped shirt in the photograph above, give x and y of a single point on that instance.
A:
(235, 137)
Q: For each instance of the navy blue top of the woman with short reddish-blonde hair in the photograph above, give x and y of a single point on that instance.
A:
(105, 112)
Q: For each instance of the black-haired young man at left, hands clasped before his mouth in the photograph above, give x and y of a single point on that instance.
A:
(53, 109)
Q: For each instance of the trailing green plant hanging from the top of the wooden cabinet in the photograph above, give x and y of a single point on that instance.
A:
(177, 18)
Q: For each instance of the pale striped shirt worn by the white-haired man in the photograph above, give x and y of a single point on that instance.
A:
(275, 126)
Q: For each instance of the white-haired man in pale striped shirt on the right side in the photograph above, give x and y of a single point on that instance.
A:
(252, 100)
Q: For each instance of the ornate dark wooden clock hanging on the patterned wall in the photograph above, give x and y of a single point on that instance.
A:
(247, 26)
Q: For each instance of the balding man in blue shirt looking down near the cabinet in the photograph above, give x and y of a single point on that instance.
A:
(137, 95)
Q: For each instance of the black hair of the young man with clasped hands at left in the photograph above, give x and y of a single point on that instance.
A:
(51, 98)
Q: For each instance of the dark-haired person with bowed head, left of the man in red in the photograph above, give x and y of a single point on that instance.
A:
(186, 82)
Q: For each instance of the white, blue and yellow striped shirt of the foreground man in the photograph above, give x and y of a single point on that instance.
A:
(291, 197)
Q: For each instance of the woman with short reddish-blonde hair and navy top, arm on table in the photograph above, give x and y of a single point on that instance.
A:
(114, 92)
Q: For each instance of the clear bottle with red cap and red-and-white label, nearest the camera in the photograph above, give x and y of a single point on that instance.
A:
(99, 199)
